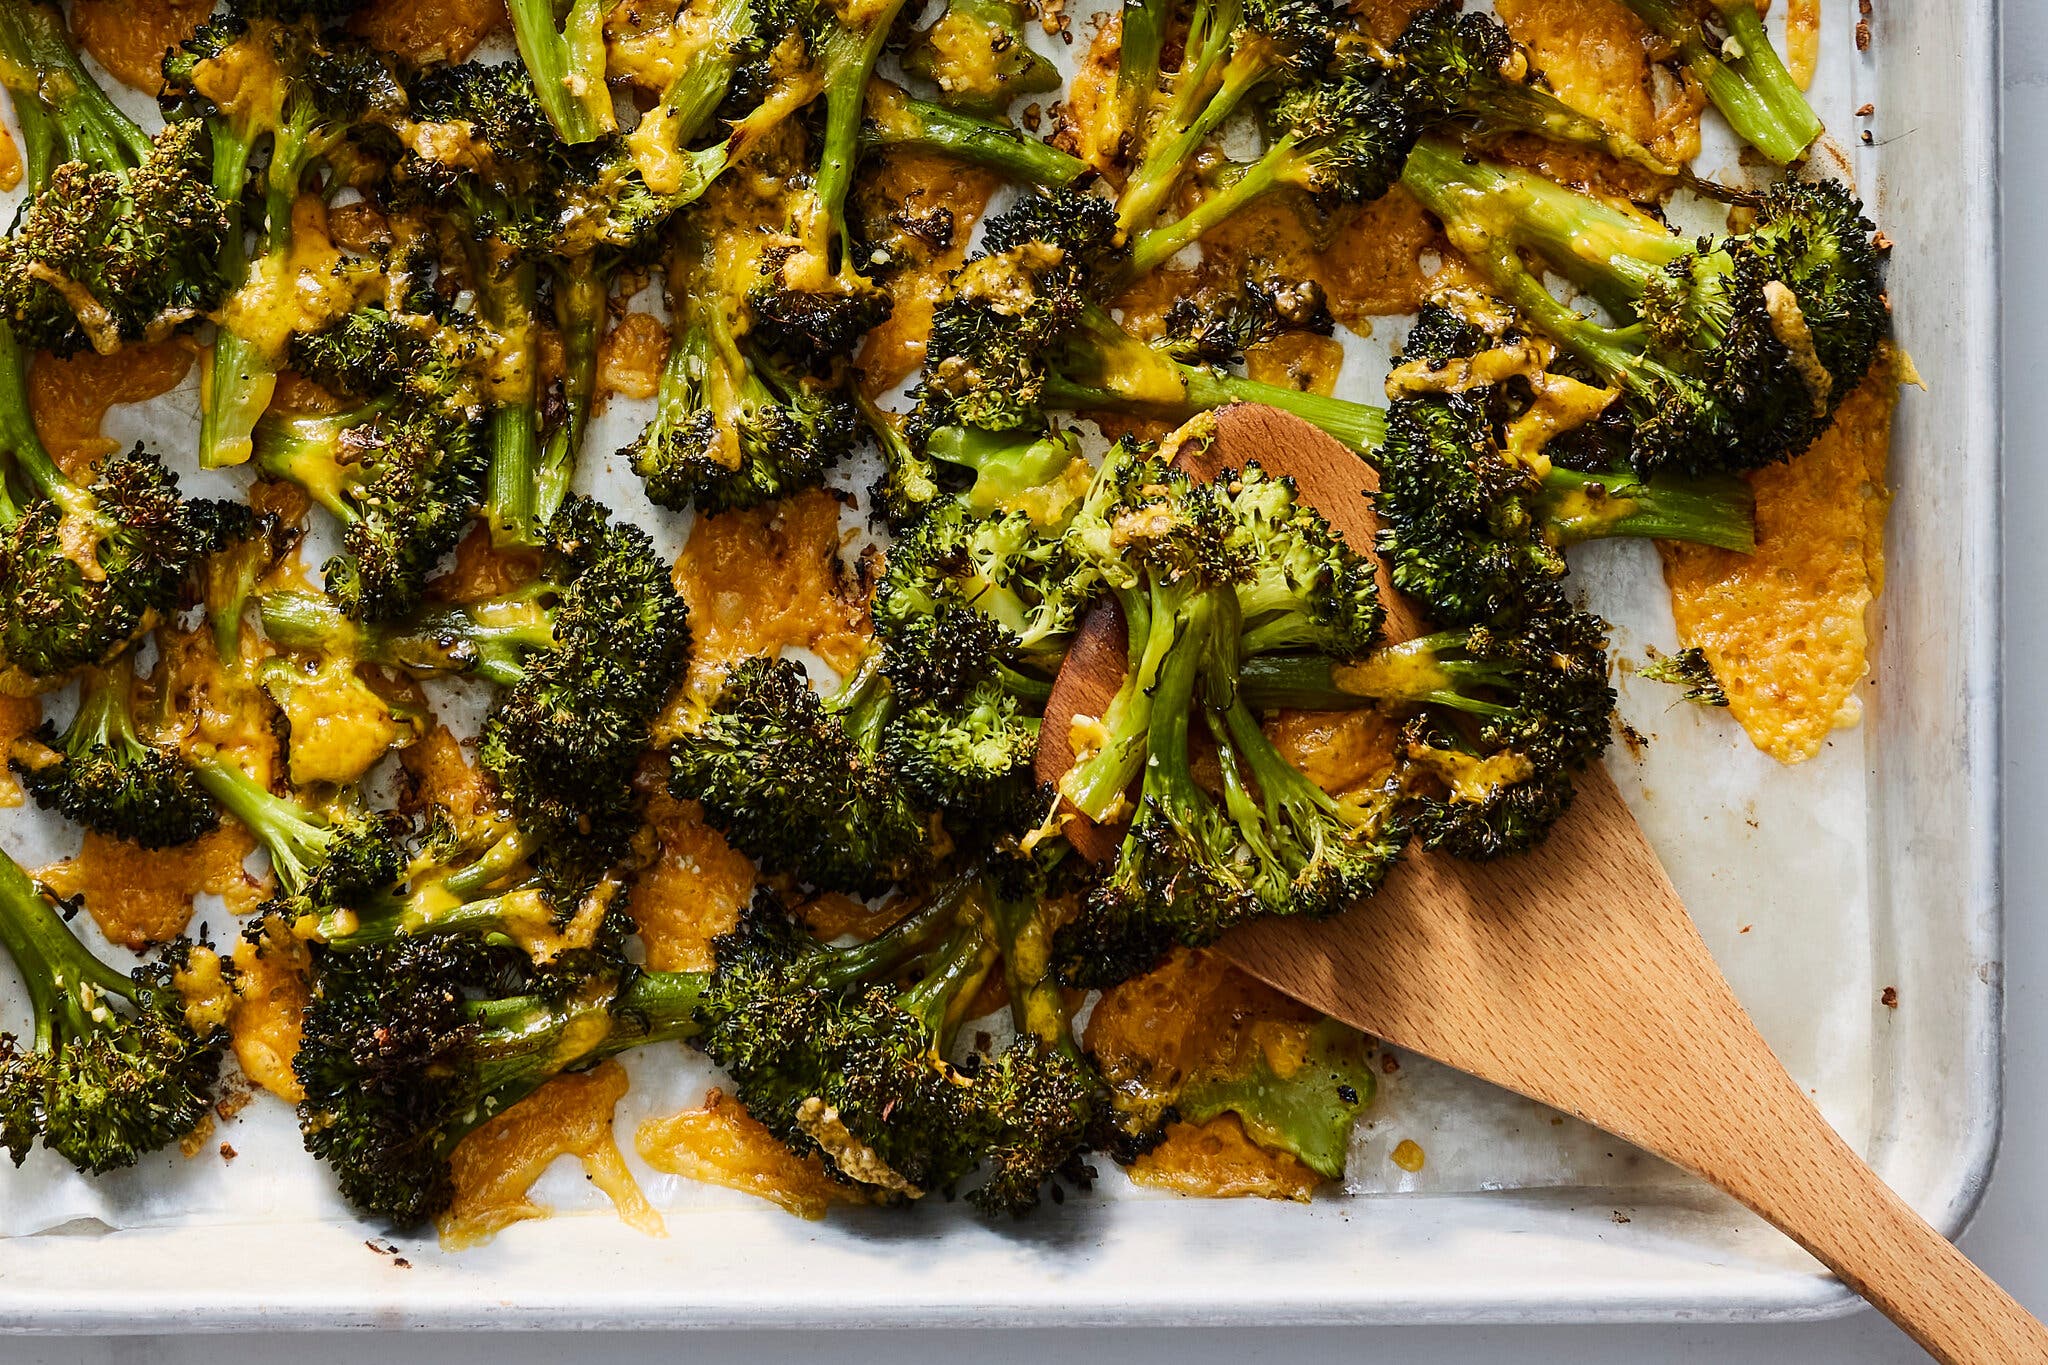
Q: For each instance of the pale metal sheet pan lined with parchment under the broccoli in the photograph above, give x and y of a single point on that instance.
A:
(1875, 867)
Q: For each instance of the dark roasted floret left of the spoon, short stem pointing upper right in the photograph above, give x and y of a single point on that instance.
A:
(800, 781)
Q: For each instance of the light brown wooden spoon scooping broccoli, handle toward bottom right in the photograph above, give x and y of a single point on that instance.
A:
(1576, 977)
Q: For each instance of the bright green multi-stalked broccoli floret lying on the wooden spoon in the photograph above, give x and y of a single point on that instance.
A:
(1191, 867)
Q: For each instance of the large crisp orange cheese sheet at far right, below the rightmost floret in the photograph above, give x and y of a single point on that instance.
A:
(1785, 629)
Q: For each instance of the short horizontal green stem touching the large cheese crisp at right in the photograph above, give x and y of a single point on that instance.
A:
(1576, 509)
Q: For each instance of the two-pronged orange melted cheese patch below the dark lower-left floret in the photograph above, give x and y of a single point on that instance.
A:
(497, 1165)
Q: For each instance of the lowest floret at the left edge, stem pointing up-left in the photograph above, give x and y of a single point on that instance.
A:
(116, 1067)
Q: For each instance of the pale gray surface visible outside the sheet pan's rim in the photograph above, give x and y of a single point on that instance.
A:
(2006, 1237)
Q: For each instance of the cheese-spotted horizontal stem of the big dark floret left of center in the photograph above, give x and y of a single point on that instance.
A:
(488, 640)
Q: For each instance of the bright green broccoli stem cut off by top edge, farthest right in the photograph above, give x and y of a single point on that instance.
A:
(1744, 77)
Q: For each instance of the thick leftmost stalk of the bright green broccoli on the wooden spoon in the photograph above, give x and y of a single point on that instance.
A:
(1164, 652)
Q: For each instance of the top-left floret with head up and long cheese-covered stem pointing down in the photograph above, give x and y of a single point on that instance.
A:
(308, 93)
